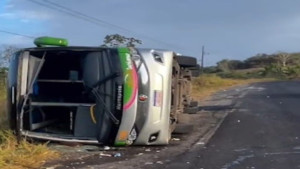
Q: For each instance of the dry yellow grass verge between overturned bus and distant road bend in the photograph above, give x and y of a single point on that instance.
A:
(205, 85)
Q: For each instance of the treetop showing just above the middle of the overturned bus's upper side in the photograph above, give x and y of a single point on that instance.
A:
(116, 40)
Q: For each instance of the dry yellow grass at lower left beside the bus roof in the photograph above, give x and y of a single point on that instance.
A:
(24, 155)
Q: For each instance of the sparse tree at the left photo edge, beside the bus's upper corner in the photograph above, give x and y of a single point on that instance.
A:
(5, 55)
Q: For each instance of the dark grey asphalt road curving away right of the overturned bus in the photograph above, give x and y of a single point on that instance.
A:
(261, 132)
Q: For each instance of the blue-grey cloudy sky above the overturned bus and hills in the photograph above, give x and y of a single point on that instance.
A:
(231, 29)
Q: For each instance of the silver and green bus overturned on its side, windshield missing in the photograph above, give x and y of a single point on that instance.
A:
(118, 96)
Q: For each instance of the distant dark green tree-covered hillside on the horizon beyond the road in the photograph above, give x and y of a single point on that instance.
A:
(281, 65)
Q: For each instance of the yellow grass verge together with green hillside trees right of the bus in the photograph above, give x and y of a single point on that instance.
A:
(259, 68)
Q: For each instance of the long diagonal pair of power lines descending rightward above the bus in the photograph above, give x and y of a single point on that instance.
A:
(87, 18)
